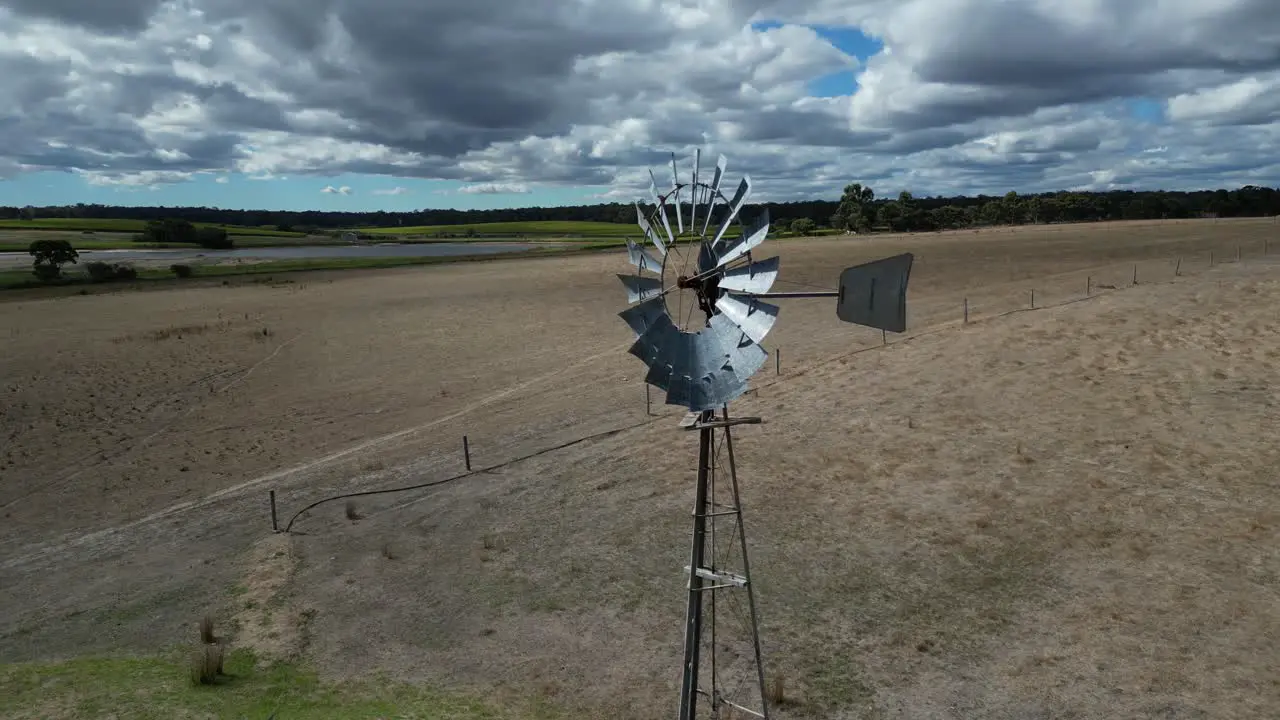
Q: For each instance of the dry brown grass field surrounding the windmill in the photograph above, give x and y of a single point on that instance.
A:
(1068, 513)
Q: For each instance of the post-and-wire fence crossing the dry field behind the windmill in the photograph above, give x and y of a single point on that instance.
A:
(934, 316)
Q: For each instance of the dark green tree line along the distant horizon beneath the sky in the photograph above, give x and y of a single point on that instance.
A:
(858, 209)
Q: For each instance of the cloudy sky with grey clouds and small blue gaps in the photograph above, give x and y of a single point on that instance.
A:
(406, 104)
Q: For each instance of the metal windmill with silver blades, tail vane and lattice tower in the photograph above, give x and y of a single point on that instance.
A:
(698, 311)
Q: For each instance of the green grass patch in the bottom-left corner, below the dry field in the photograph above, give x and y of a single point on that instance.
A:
(161, 689)
